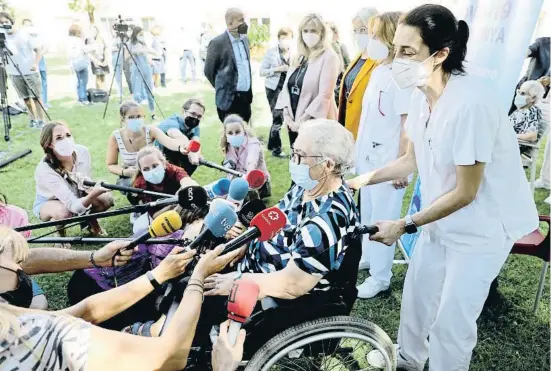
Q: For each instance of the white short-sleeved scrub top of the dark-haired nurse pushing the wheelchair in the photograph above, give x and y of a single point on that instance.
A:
(466, 126)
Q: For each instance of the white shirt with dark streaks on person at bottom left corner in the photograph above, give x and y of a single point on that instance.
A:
(46, 343)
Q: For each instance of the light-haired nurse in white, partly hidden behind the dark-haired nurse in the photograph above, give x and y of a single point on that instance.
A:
(381, 140)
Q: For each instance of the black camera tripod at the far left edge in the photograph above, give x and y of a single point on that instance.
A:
(5, 58)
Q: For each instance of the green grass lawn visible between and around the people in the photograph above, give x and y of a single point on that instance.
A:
(509, 337)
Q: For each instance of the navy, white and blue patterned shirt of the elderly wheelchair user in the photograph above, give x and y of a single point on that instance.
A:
(315, 238)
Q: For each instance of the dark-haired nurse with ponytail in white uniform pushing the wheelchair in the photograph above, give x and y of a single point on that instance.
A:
(476, 199)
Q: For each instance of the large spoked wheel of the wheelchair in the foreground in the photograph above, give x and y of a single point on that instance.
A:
(333, 343)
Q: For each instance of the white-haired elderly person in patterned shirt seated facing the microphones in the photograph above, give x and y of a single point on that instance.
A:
(299, 270)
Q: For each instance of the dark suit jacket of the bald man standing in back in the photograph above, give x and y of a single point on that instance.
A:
(221, 70)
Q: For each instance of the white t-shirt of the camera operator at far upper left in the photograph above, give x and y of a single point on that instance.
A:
(22, 46)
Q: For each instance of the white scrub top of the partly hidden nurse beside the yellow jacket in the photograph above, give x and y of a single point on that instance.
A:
(380, 122)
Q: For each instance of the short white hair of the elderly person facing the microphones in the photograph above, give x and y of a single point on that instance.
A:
(332, 141)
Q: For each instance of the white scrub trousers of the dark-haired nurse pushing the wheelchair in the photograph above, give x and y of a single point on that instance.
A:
(445, 289)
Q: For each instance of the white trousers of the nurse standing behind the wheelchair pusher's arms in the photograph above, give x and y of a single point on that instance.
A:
(379, 202)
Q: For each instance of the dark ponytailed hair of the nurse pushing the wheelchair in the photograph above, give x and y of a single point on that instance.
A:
(440, 29)
